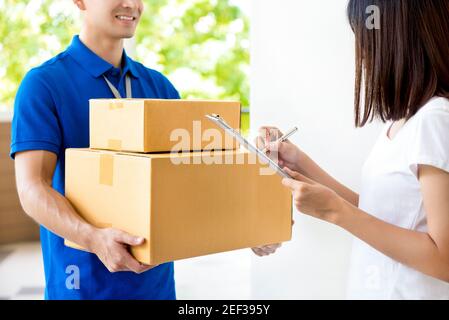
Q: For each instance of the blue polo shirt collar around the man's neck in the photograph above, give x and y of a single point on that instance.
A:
(94, 64)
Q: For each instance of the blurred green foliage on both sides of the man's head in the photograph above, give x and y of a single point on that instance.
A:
(201, 45)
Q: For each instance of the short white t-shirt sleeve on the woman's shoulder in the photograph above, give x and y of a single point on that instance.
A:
(430, 145)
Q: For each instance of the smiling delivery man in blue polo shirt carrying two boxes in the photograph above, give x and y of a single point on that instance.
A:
(51, 114)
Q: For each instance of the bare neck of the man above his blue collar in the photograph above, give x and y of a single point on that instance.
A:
(108, 49)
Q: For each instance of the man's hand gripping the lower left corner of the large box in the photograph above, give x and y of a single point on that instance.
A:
(112, 248)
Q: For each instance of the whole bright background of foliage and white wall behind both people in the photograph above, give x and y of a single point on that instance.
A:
(300, 73)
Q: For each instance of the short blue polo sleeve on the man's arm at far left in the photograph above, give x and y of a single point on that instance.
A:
(35, 124)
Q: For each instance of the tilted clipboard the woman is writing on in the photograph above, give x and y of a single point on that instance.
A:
(247, 145)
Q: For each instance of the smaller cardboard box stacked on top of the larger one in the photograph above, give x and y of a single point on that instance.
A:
(147, 125)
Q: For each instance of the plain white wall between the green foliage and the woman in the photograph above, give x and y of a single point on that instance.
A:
(303, 74)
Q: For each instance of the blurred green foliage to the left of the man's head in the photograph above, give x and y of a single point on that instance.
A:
(30, 33)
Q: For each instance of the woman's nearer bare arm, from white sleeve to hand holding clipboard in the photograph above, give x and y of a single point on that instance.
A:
(425, 252)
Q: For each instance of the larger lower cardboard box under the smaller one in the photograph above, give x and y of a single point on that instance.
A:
(185, 209)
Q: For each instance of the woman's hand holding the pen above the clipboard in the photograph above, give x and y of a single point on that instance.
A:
(285, 153)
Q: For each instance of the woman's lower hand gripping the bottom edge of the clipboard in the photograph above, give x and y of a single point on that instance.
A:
(314, 199)
